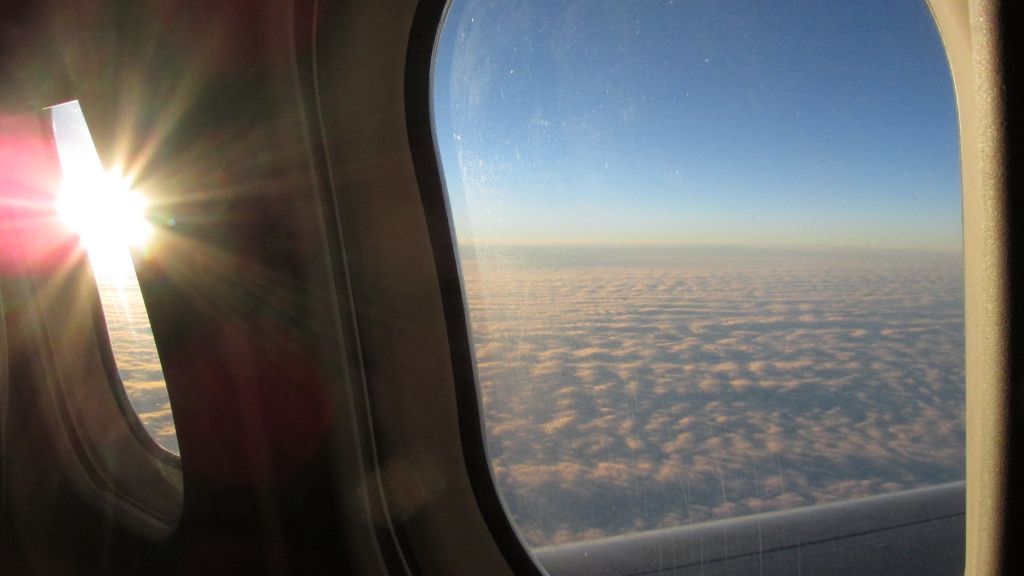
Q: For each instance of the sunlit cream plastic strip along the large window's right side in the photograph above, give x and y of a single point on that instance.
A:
(971, 32)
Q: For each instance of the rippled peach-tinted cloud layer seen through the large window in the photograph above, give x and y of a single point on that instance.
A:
(627, 391)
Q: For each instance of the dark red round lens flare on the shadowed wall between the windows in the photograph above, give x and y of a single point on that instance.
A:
(262, 391)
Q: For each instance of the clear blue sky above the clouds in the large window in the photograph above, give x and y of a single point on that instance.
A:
(786, 122)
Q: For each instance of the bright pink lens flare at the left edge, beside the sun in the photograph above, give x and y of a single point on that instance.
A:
(31, 234)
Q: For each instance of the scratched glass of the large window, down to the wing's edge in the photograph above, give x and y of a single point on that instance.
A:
(712, 254)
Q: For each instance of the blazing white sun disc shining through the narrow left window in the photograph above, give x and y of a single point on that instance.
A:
(108, 216)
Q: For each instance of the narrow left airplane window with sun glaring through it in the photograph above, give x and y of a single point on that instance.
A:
(109, 219)
